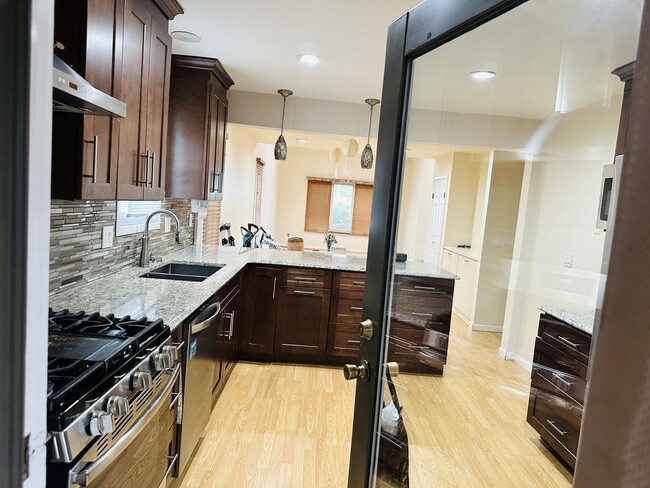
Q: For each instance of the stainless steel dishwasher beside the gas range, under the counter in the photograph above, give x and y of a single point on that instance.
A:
(201, 330)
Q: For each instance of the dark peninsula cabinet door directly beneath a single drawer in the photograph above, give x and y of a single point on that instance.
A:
(302, 321)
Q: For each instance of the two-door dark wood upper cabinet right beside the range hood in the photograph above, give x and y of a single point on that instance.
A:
(144, 85)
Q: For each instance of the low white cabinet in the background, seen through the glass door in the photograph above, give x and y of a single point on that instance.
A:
(466, 268)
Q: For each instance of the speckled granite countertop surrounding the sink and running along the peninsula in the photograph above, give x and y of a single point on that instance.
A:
(125, 293)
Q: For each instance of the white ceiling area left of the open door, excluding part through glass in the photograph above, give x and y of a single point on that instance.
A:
(258, 42)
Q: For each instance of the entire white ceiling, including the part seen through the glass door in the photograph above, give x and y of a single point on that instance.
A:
(549, 55)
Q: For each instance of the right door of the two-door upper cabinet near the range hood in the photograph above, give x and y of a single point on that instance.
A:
(157, 107)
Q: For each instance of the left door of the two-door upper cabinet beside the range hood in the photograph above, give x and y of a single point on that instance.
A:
(133, 157)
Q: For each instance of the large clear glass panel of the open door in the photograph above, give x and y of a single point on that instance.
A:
(499, 246)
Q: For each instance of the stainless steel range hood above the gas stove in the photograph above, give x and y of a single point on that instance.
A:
(72, 93)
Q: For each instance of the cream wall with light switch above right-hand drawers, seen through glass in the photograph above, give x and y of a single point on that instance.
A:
(558, 213)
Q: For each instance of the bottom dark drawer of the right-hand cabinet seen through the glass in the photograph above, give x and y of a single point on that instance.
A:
(554, 419)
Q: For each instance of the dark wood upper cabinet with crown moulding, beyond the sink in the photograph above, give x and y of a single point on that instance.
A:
(198, 113)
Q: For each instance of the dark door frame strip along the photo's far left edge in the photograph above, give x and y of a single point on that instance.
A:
(14, 139)
